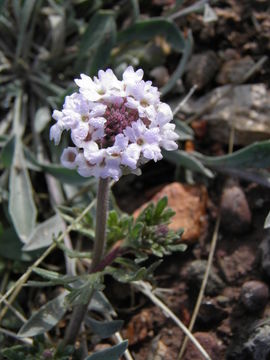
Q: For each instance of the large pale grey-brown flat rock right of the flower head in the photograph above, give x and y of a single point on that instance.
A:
(246, 108)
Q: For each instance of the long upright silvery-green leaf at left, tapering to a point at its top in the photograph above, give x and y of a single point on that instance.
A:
(22, 208)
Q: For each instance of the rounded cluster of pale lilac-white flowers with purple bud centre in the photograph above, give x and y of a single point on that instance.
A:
(115, 125)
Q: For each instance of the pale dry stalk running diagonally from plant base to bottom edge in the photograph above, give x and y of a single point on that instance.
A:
(147, 290)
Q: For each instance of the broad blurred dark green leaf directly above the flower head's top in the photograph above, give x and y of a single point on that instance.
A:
(97, 42)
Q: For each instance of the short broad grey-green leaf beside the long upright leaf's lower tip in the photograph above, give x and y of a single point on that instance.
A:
(42, 236)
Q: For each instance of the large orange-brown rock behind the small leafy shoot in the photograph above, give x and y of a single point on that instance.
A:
(189, 203)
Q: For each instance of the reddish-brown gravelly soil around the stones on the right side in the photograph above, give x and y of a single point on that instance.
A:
(232, 321)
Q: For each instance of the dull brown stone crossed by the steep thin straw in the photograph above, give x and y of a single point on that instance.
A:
(195, 272)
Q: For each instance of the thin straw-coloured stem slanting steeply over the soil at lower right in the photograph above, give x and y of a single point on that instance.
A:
(202, 290)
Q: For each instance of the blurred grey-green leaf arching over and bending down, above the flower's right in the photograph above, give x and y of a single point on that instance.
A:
(145, 30)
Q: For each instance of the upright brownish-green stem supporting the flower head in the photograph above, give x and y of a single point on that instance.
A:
(80, 311)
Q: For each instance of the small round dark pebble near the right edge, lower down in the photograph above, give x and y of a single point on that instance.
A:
(254, 295)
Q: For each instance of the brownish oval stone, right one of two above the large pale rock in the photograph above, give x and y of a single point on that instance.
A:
(233, 71)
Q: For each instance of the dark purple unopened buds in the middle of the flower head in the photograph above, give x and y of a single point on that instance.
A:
(118, 118)
